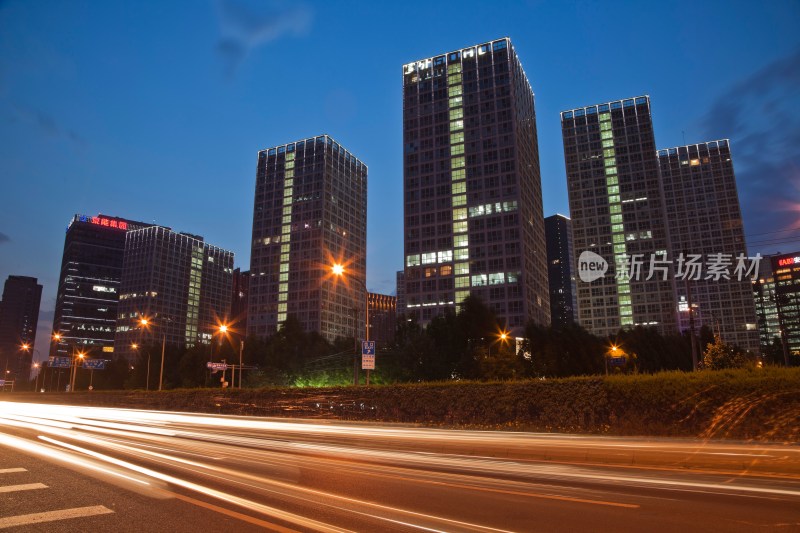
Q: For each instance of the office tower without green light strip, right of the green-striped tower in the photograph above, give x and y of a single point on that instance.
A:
(705, 219)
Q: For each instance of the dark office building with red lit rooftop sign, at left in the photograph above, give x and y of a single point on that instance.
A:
(88, 284)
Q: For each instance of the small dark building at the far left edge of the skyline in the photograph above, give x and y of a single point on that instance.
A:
(19, 315)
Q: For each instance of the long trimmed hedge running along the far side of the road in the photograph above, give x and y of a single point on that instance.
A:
(762, 404)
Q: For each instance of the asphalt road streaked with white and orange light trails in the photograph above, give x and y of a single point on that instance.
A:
(68, 468)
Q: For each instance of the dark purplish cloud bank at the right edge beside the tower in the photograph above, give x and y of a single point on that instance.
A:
(759, 115)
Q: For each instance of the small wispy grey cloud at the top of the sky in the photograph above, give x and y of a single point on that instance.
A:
(246, 25)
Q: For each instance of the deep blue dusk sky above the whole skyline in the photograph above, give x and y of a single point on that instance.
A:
(155, 110)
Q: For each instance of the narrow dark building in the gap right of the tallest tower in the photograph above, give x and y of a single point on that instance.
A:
(561, 271)
